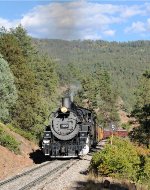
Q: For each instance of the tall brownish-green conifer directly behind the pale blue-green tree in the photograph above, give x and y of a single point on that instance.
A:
(28, 111)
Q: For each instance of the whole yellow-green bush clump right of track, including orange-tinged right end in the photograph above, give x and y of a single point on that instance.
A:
(122, 160)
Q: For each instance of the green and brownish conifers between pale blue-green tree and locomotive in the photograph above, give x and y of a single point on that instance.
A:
(35, 79)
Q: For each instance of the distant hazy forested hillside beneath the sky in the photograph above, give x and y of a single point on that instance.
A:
(125, 62)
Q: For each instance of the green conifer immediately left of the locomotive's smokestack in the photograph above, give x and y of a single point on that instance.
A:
(48, 81)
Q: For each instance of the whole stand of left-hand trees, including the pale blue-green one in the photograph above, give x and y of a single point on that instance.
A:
(29, 83)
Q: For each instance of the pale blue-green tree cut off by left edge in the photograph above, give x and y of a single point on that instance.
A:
(8, 93)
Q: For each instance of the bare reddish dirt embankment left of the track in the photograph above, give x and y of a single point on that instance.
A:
(11, 163)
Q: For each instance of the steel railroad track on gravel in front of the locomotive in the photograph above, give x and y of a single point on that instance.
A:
(35, 176)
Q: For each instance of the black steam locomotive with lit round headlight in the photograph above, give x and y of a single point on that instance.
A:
(71, 133)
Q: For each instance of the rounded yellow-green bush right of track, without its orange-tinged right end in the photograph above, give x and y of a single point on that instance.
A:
(117, 160)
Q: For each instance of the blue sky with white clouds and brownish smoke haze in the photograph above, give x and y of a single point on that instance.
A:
(111, 20)
